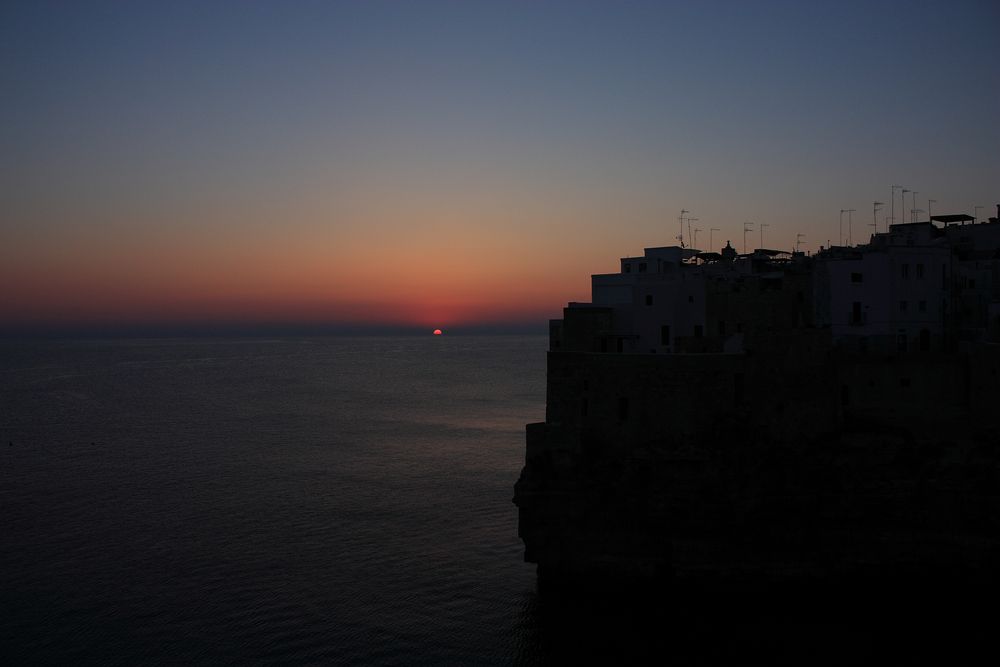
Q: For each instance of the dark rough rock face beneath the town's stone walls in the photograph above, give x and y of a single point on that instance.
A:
(876, 493)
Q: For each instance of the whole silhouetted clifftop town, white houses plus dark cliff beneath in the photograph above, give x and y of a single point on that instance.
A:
(775, 415)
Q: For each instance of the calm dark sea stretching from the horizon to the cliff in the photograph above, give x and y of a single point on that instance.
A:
(289, 501)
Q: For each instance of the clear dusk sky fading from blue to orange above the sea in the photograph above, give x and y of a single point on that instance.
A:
(457, 164)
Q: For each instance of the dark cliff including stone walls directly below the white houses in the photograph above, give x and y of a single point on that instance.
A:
(780, 466)
